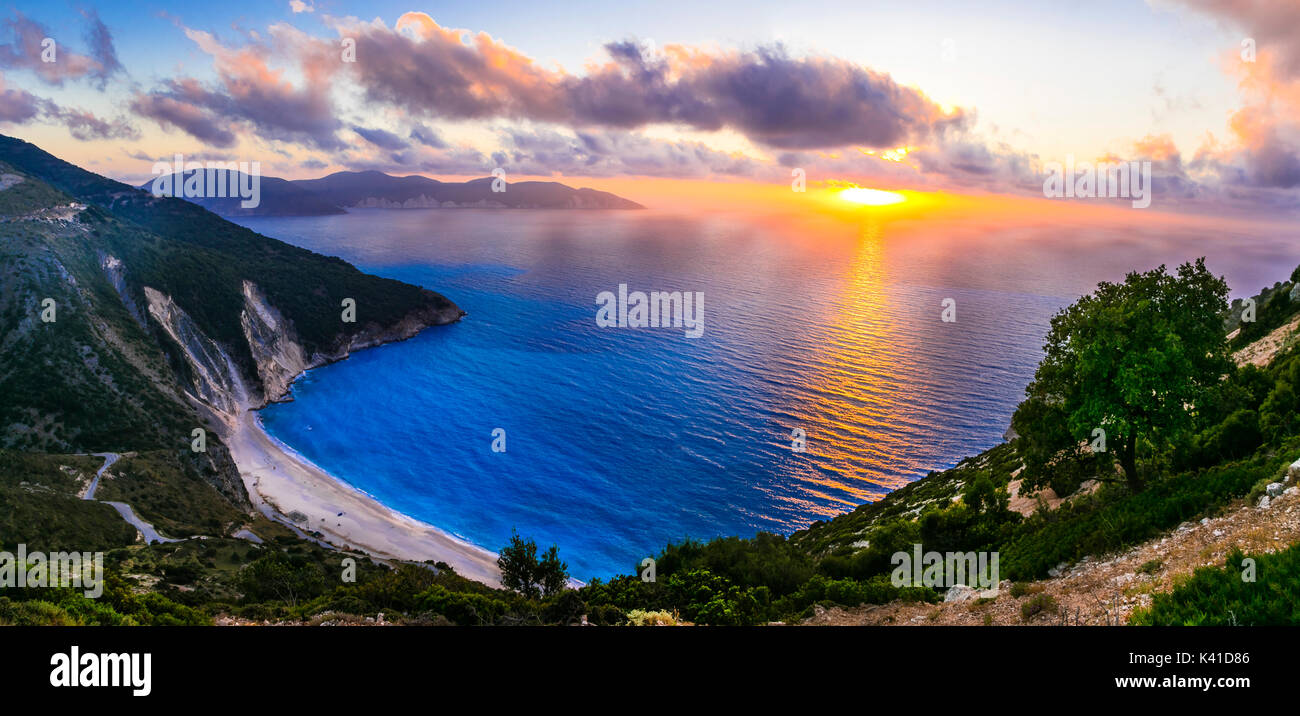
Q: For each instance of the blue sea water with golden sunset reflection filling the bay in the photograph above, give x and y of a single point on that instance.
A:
(619, 441)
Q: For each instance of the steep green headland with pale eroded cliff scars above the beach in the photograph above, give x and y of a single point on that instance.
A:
(129, 322)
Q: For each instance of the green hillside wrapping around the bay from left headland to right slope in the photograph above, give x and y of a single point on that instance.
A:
(170, 318)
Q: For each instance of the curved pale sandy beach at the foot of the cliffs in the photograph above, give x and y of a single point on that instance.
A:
(285, 483)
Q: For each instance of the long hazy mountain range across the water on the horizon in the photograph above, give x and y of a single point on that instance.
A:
(345, 190)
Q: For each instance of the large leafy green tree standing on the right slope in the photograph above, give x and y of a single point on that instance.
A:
(1132, 361)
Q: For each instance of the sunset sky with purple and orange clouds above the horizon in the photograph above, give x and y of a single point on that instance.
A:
(916, 96)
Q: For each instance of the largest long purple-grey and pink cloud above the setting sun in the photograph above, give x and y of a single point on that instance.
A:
(774, 99)
